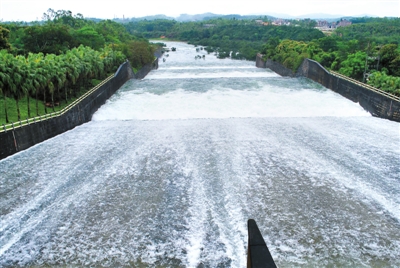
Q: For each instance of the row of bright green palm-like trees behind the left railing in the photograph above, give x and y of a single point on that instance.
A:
(48, 80)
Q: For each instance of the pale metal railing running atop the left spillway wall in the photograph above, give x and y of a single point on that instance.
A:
(25, 122)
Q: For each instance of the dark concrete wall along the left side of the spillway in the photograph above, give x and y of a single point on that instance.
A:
(21, 138)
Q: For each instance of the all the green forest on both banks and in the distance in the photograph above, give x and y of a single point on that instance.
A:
(44, 64)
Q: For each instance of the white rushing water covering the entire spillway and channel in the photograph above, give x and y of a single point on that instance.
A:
(172, 166)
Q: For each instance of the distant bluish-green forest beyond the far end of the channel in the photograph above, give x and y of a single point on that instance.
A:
(239, 39)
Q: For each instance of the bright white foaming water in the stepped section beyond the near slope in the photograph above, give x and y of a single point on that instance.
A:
(223, 91)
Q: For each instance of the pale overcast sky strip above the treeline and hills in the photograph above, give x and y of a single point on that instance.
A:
(30, 10)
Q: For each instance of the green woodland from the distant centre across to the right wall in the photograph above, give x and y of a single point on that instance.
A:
(367, 49)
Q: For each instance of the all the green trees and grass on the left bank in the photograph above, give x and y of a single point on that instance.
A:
(43, 66)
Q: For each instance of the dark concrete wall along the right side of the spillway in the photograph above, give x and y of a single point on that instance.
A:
(378, 104)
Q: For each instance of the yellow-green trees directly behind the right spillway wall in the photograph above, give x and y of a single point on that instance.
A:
(368, 58)
